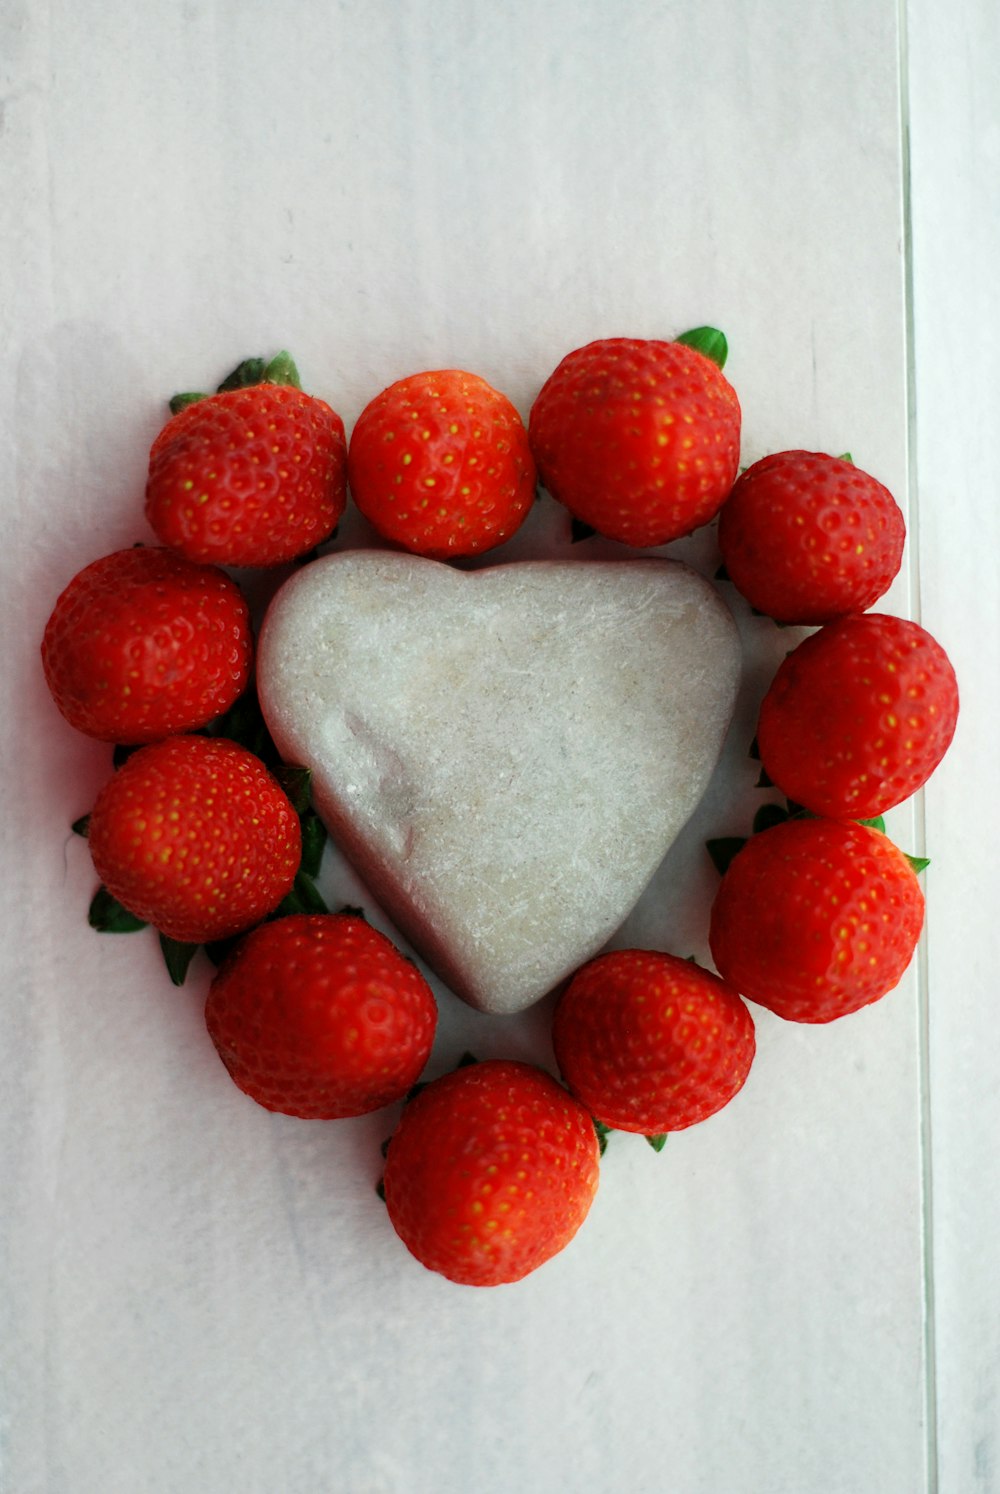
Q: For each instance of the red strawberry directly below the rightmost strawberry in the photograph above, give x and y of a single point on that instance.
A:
(817, 918)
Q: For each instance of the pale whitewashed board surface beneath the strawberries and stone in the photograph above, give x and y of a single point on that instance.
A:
(799, 1298)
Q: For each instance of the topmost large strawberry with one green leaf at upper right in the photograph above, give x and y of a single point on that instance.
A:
(641, 440)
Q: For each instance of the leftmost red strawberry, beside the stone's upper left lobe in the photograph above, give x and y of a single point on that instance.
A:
(143, 645)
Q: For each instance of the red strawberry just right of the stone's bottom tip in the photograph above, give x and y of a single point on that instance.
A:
(649, 1042)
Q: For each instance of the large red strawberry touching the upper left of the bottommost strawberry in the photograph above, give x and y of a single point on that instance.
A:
(321, 1017)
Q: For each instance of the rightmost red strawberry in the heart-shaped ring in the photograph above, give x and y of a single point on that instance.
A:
(859, 716)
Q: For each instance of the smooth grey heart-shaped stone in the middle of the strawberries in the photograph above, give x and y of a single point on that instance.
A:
(504, 755)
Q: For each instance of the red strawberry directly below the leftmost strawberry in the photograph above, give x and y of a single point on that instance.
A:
(195, 837)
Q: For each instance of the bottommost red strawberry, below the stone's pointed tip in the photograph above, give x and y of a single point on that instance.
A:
(491, 1172)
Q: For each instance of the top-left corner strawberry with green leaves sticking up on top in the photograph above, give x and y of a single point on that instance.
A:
(252, 476)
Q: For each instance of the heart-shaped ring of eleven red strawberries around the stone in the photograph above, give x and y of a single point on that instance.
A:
(207, 836)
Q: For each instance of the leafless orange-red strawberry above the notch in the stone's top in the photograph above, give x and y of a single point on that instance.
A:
(440, 465)
